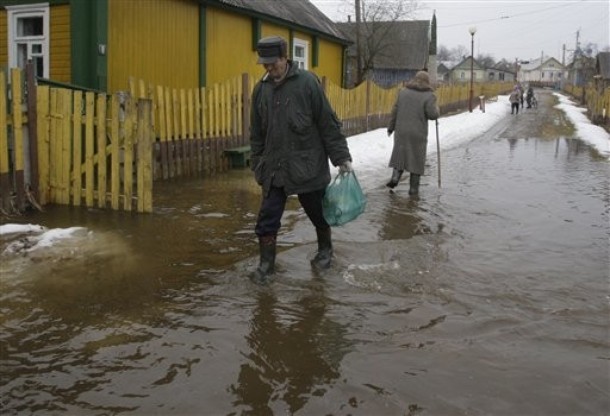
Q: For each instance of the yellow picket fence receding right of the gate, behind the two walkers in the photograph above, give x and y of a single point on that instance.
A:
(195, 127)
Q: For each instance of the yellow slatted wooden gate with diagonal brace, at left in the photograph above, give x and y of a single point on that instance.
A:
(94, 150)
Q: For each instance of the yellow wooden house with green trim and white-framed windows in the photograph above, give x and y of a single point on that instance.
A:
(100, 44)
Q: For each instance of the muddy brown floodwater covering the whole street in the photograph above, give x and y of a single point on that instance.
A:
(487, 296)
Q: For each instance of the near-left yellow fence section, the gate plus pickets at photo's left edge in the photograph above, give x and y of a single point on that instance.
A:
(87, 148)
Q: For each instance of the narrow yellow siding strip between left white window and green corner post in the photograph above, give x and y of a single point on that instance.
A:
(59, 45)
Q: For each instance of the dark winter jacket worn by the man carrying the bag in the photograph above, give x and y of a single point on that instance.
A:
(293, 133)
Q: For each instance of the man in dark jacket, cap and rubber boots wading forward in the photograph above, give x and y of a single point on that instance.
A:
(293, 133)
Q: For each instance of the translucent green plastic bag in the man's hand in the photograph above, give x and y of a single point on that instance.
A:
(344, 200)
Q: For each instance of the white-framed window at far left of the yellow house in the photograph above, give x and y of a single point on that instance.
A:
(28, 37)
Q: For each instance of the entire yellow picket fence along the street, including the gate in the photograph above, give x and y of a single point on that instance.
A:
(87, 148)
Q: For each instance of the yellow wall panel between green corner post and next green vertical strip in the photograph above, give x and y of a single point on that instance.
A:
(139, 49)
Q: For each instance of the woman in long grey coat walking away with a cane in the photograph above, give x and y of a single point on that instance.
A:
(414, 106)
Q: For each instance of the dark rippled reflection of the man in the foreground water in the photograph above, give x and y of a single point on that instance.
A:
(295, 353)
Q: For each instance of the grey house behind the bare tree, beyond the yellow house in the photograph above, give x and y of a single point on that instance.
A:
(391, 52)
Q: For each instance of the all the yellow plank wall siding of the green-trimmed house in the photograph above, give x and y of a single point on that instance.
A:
(135, 47)
